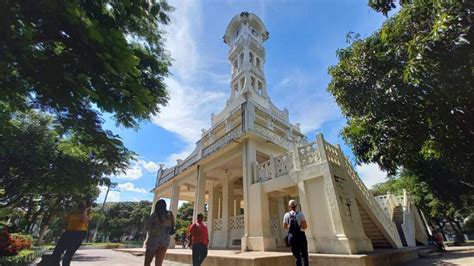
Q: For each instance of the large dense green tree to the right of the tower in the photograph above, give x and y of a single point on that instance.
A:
(407, 93)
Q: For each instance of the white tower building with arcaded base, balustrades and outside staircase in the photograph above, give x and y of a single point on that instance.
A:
(252, 160)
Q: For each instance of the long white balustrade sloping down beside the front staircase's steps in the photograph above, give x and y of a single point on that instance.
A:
(377, 210)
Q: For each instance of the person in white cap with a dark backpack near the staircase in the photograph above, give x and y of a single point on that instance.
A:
(295, 222)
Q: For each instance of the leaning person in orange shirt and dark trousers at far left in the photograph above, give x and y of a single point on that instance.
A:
(76, 230)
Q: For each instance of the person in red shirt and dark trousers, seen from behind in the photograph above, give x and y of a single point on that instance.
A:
(199, 240)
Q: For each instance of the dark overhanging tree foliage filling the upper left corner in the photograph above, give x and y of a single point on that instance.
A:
(73, 58)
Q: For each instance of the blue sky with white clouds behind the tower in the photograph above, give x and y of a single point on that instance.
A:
(304, 37)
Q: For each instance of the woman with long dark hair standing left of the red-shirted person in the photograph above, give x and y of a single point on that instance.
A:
(159, 226)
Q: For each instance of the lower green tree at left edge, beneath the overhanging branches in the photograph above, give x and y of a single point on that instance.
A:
(43, 172)
